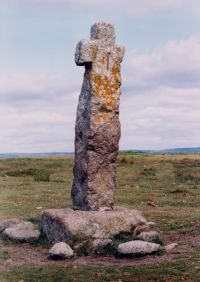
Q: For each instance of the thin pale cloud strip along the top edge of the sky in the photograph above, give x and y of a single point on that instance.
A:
(132, 7)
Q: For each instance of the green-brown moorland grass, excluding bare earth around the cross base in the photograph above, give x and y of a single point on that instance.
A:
(166, 188)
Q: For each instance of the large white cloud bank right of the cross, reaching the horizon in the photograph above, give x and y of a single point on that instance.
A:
(161, 99)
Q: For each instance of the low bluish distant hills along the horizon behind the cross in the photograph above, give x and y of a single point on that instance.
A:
(49, 154)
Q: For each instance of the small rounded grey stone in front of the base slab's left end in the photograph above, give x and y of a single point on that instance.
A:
(61, 250)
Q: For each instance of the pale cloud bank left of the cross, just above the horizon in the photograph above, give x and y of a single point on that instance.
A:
(38, 125)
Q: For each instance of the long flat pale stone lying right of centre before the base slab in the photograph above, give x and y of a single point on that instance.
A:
(136, 248)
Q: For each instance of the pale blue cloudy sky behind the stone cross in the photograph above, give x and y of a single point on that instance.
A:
(40, 83)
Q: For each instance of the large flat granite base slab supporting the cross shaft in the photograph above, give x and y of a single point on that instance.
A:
(64, 224)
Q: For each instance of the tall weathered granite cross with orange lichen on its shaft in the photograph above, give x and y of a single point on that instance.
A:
(97, 130)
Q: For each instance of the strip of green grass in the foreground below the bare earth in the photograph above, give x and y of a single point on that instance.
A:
(169, 272)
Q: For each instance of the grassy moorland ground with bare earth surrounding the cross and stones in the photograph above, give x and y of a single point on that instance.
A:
(166, 188)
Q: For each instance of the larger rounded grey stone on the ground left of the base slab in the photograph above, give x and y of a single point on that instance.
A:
(23, 232)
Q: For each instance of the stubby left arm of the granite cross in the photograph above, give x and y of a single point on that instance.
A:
(86, 52)
